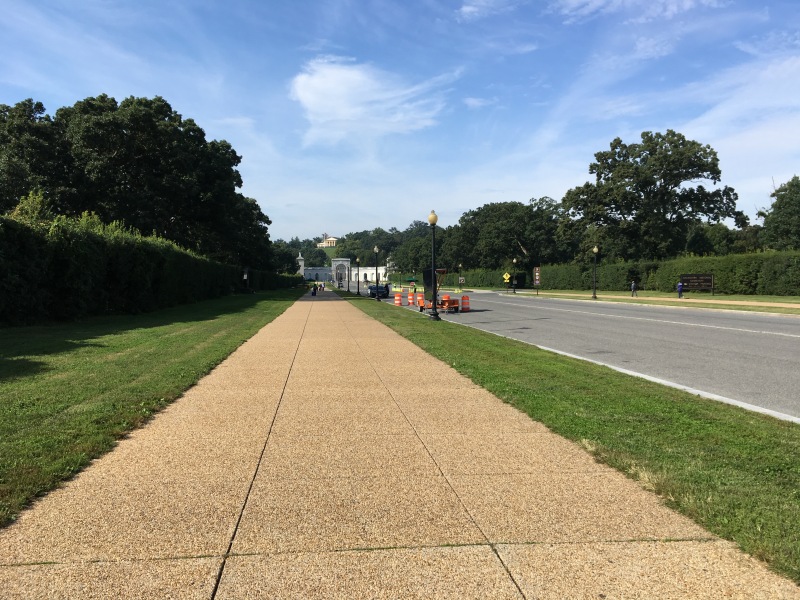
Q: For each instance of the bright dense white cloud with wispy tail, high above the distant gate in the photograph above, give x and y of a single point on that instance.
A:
(346, 100)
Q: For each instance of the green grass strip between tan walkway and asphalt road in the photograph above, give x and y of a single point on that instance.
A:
(735, 472)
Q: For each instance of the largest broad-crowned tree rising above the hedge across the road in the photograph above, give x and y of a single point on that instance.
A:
(648, 196)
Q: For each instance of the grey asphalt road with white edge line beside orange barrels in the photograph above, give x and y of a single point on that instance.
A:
(747, 358)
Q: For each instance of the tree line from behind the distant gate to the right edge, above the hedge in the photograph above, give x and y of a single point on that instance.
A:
(641, 206)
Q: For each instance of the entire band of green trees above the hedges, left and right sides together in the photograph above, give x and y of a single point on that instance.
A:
(140, 163)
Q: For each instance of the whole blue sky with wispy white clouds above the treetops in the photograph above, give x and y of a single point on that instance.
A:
(356, 114)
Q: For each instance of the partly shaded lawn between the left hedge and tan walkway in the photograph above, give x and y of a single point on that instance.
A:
(68, 391)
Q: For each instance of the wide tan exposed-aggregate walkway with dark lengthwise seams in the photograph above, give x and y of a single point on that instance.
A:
(330, 458)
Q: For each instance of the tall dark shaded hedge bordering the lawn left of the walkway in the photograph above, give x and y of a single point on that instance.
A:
(72, 268)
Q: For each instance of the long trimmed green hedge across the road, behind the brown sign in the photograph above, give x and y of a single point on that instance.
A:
(763, 273)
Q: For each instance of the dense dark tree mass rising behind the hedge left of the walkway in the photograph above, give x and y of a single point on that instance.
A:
(138, 162)
